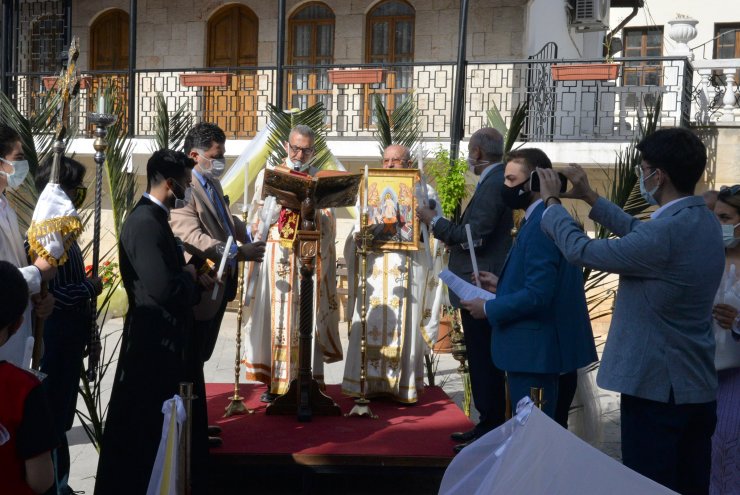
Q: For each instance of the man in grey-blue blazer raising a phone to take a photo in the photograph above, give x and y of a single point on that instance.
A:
(660, 349)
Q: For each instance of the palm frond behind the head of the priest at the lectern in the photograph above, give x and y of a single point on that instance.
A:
(282, 122)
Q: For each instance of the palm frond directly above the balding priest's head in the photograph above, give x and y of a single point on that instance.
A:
(401, 127)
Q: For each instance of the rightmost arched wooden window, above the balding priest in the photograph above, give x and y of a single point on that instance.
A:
(389, 40)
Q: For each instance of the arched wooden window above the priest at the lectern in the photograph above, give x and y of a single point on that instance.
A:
(311, 42)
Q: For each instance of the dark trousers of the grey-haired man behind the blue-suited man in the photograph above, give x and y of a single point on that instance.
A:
(487, 381)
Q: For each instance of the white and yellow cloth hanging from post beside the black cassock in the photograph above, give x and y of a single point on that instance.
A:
(164, 473)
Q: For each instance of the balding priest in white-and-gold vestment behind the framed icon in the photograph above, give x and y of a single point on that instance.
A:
(402, 306)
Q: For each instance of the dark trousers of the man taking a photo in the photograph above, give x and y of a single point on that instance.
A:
(669, 443)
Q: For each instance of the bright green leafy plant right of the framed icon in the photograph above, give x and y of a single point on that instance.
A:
(449, 179)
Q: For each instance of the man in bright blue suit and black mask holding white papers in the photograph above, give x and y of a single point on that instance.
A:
(539, 318)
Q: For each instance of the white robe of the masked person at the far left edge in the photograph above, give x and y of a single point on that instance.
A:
(12, 251)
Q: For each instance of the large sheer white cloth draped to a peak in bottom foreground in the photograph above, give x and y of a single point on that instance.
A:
(531, 453)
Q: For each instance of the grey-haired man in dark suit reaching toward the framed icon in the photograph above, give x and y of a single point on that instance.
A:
(490, 223)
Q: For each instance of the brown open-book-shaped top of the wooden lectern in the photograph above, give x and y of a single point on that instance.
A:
(328, 188)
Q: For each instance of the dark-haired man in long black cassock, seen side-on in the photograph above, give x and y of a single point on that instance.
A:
(161, 291)
